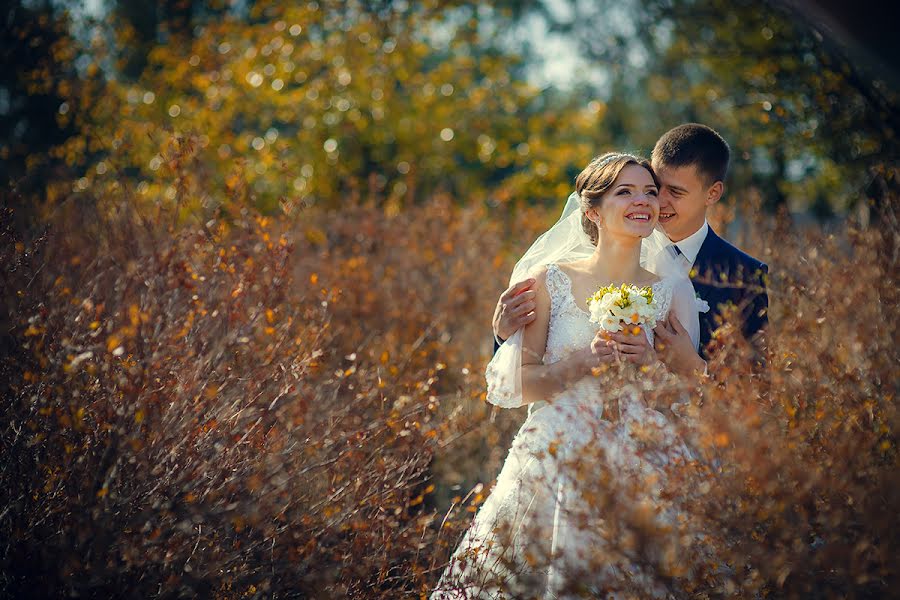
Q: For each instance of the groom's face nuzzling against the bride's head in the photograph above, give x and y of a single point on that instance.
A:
(683, 199)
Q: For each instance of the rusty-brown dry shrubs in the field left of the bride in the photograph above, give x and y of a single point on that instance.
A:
(246, 407)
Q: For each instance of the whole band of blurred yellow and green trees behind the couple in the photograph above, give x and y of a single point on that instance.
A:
(391, 100)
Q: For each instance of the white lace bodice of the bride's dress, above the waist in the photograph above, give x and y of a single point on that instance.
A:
(570, 327)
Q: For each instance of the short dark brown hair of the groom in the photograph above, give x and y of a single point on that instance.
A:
(694, 144)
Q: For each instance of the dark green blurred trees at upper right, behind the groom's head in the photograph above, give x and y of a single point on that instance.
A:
(794, 107)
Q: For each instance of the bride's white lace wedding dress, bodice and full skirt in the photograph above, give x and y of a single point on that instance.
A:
(539, 528)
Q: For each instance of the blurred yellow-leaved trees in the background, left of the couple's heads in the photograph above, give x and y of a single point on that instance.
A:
(309, 104)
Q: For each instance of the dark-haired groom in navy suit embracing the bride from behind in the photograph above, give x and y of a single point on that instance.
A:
(691, 162)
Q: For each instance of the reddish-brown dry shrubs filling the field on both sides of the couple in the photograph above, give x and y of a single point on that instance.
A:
(292, 405)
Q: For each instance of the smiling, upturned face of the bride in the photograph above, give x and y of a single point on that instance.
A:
(631, 205)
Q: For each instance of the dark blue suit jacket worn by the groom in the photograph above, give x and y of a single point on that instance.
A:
(722, 274)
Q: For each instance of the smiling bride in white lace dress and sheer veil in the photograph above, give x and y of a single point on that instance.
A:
(546, 527)
